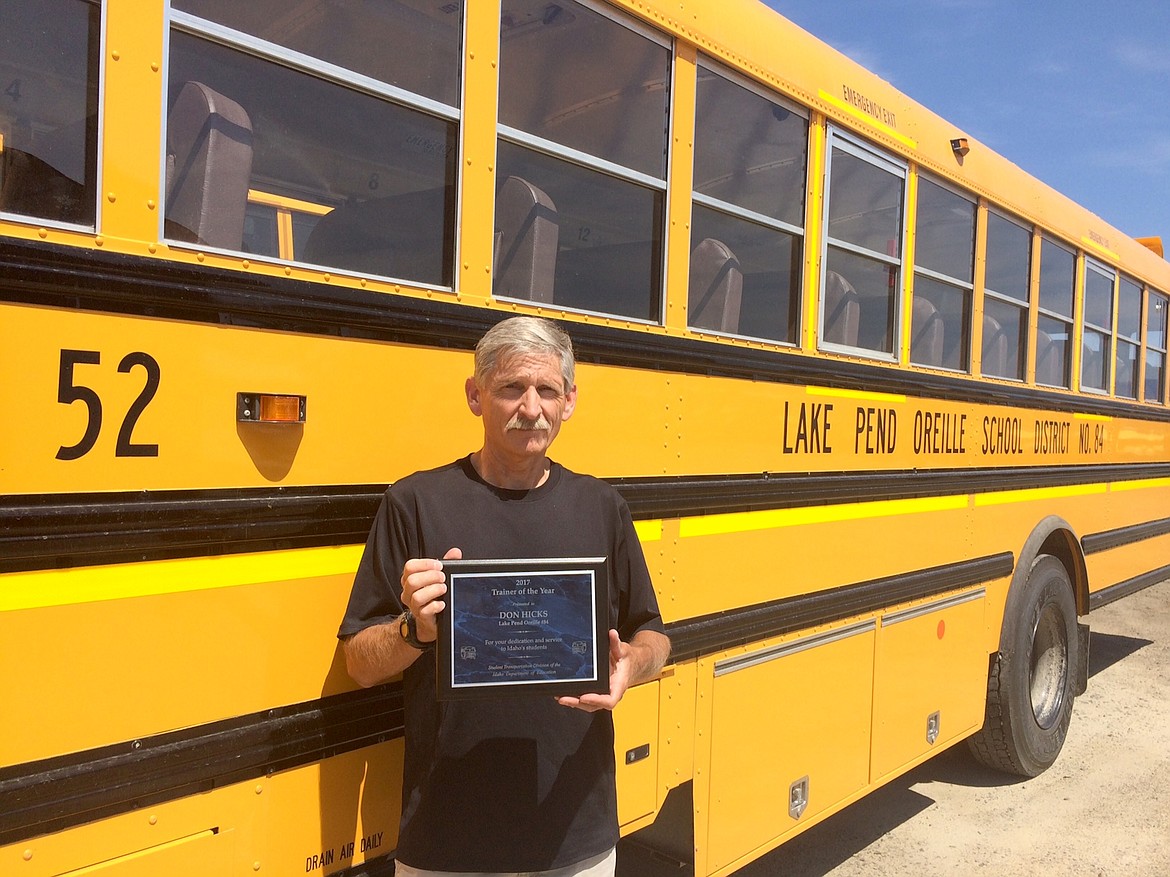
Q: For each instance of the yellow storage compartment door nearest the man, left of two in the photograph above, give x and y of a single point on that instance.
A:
(801, 715)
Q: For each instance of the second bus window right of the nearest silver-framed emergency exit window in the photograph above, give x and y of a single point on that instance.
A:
(1006, 299)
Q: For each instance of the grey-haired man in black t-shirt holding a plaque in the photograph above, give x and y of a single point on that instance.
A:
(506, 785)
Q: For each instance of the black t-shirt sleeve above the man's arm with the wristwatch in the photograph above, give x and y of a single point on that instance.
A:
(377, 588)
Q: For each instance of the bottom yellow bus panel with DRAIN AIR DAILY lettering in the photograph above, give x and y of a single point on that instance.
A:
(315, 820)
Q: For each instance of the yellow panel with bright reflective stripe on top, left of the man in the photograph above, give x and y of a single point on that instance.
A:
(166, 646)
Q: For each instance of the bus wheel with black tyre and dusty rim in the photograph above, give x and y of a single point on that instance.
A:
(1030, 687)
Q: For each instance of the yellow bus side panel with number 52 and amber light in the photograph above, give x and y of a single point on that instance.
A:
(357, 430)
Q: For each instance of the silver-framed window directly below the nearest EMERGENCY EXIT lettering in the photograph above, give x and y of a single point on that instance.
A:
(864, 253)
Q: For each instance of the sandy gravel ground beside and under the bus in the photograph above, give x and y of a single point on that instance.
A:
(1103, 810)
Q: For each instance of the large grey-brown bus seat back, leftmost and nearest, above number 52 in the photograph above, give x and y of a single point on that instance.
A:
(209, 168)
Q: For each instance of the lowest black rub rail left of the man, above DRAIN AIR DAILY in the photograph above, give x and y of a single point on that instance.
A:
(45, 797)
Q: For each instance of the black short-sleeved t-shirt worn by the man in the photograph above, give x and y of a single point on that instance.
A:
(517, 784)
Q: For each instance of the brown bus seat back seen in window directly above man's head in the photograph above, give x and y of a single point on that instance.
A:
(527, 236)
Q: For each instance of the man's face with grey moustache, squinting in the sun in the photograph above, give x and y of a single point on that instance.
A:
(522, 403)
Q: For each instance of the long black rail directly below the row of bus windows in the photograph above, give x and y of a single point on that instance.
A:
(58, 277)
